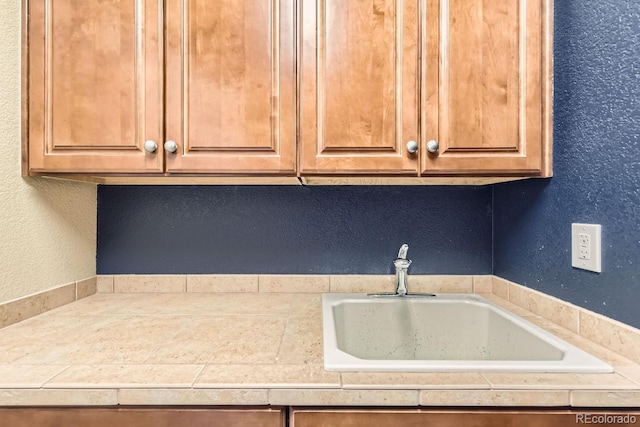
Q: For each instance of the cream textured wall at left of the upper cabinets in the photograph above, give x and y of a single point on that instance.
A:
(47, 228)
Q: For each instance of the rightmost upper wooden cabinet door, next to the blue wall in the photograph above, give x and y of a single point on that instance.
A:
(484, 92)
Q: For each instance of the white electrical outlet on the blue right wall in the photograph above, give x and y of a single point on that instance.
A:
(586, 247)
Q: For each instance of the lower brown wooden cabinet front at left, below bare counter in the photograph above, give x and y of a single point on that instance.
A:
(141, 417)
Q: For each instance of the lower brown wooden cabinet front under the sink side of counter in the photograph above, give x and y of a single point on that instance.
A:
(458, 418)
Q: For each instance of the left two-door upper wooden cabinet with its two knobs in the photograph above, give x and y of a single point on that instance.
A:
(183, 86)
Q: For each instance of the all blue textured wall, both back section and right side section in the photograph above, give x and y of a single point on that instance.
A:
(359, 229)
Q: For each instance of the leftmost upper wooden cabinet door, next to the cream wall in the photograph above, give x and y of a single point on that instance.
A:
(94, 88)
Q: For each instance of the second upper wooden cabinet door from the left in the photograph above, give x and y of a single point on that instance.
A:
(230, 99)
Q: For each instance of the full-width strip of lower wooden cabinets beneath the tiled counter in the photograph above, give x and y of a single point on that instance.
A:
(311, 417)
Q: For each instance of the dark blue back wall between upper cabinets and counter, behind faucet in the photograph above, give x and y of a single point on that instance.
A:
(306, 230)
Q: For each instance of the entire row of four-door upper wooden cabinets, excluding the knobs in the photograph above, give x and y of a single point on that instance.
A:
(313, 88)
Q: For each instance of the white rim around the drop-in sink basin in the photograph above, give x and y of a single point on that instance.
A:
(575, 360)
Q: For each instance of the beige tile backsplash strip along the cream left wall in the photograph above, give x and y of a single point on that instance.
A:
(20, 309)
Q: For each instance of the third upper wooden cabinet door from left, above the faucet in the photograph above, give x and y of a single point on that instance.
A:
(358, 86)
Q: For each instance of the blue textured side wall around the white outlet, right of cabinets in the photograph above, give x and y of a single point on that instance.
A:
(596, 167)
